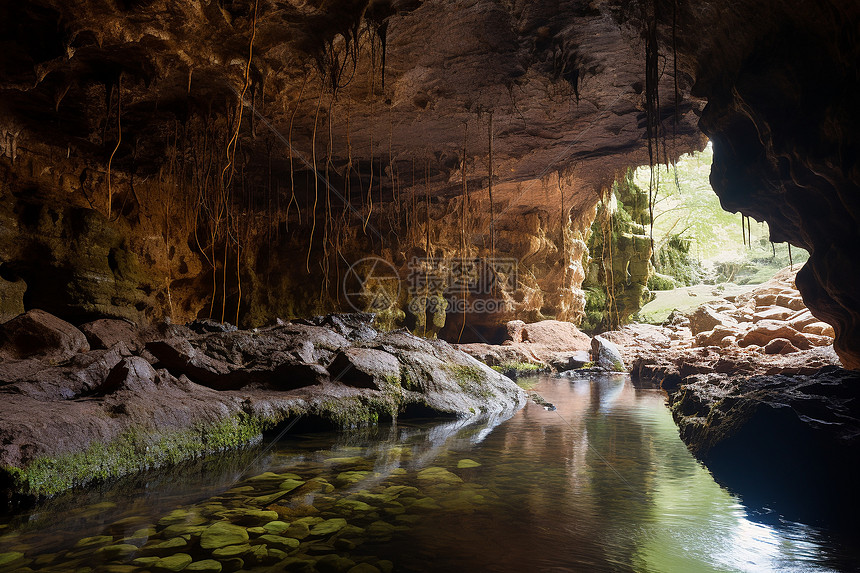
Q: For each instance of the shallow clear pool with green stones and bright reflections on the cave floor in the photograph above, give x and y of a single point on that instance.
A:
(602, 483)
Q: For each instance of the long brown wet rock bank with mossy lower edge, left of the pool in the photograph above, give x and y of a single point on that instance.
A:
(105, 413)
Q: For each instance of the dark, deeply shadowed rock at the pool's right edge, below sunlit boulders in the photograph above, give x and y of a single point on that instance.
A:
(796, 433)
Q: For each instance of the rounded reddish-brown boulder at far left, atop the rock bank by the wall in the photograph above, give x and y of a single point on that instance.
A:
(39, 334)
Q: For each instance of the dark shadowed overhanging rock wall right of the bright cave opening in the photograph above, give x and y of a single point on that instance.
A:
(781, 83)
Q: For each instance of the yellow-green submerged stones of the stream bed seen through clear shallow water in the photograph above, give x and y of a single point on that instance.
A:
(326, 511)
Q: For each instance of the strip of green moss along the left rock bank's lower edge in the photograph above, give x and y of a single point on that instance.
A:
(134, 450)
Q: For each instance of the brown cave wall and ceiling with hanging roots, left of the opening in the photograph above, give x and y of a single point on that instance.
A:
(133, 186)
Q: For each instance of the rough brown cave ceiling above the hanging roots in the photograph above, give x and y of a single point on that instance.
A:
(410, 85)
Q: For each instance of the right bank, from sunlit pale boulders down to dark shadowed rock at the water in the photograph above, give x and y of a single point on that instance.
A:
(759, 395)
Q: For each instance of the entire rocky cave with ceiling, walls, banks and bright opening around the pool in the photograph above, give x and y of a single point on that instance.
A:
(393, 206)
